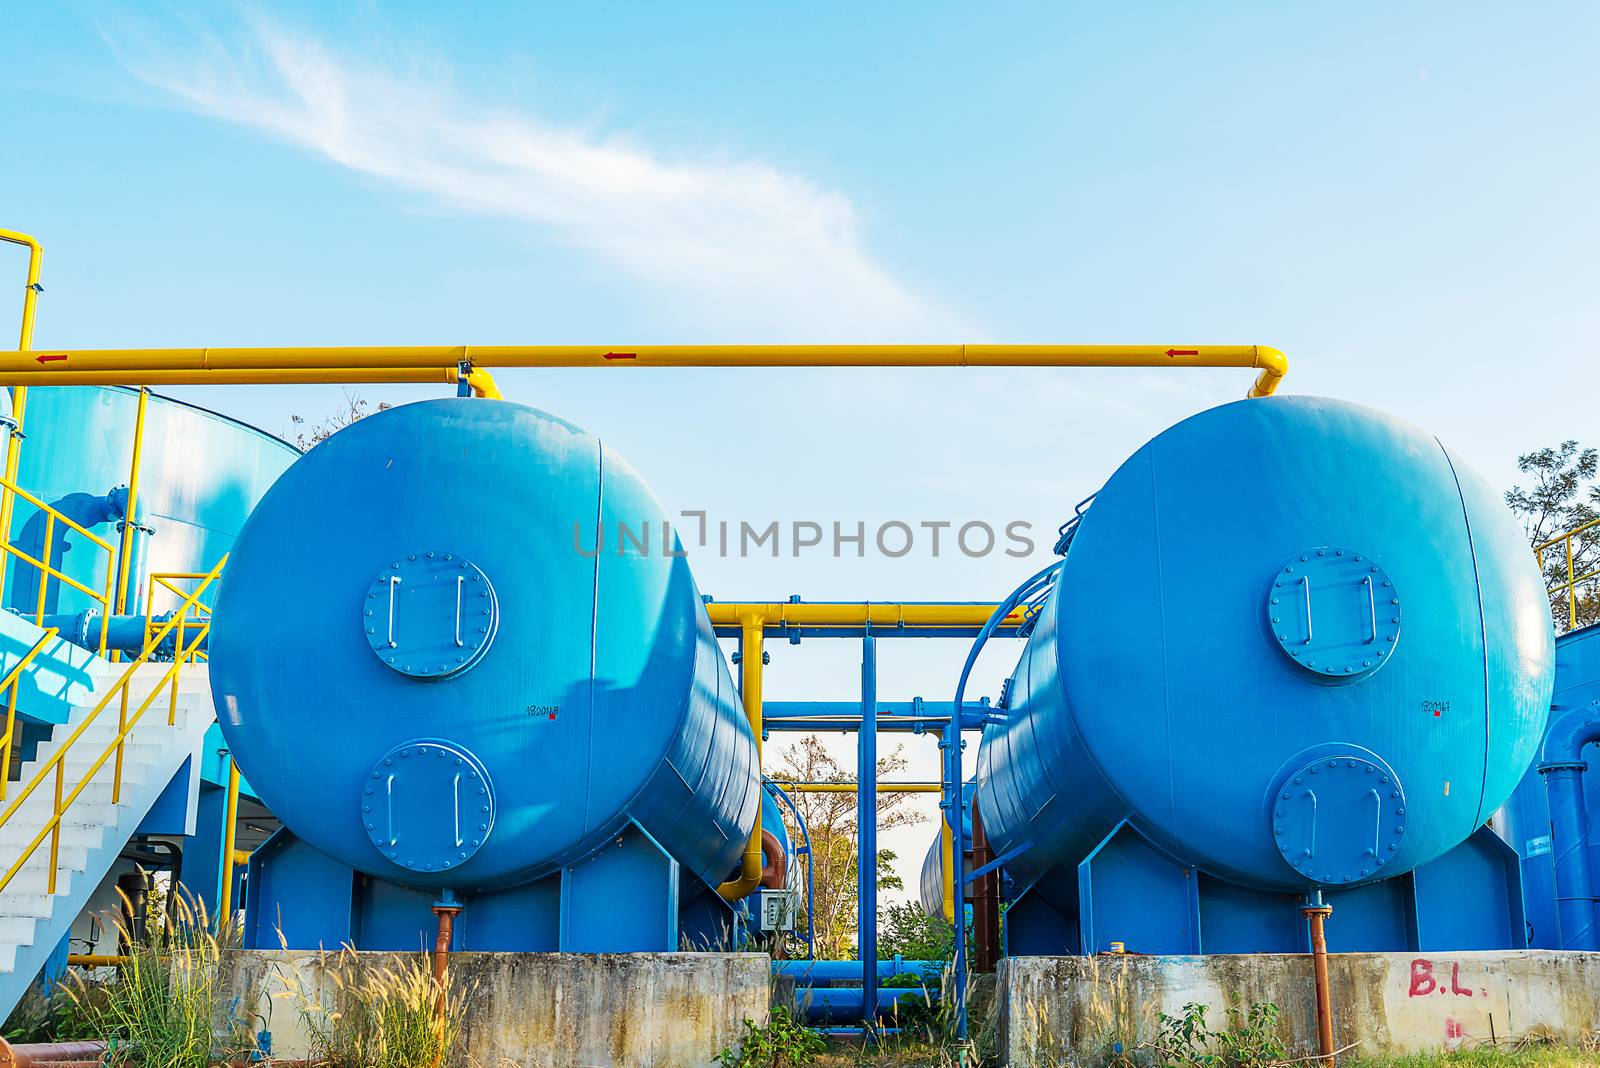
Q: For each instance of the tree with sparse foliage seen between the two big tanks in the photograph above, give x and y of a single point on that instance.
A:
(831, 819)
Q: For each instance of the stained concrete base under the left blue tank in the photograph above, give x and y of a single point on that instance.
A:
(551, 1010)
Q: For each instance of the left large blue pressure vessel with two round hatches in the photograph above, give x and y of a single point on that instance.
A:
(438, 661)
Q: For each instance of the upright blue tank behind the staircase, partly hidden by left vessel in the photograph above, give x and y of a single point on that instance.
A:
(201, 474)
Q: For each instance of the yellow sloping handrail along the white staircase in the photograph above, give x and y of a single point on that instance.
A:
(57, 765)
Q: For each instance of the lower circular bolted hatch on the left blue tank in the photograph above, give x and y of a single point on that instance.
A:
(428, 805)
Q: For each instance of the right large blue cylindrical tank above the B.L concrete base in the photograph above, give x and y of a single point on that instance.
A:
(1297, 642)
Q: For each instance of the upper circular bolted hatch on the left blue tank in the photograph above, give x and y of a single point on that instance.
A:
(431, 615)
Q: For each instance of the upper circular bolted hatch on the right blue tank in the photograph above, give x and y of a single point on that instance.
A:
(1334, 612)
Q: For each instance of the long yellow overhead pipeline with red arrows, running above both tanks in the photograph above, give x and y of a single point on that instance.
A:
(25, 369)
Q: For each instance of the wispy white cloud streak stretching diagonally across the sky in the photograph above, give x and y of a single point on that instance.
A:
(737, 244)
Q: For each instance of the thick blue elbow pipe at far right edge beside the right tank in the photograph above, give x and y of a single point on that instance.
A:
(1564, 770)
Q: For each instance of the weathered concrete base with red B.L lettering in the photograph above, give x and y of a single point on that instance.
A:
(1055, 1011)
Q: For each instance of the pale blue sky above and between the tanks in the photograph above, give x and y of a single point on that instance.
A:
(1399, 197)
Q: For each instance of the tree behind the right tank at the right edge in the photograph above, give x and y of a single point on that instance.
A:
(1561, 498)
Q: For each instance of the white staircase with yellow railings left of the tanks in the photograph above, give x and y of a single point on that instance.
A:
(94, 831)
